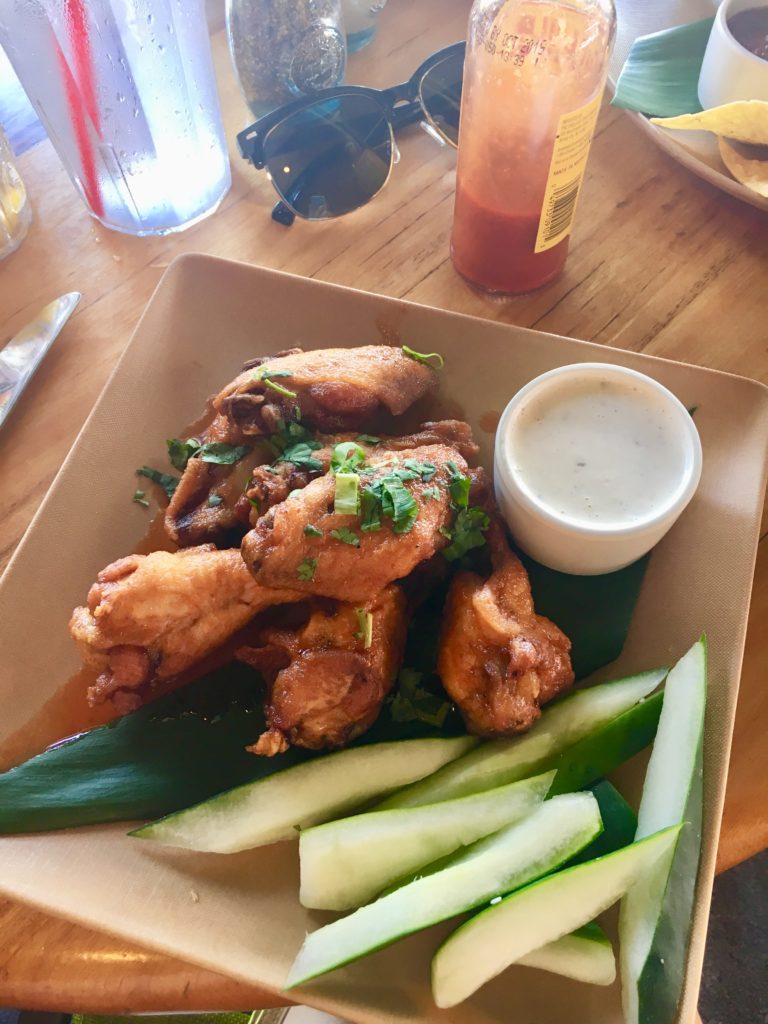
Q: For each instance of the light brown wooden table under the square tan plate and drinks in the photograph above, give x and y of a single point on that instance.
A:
(661, 264)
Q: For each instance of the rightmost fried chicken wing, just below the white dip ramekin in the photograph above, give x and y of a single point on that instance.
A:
(498, 660)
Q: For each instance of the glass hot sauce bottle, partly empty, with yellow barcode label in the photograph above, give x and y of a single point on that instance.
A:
(534, 78)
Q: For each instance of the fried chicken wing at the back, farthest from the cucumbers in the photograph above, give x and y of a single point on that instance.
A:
(334, 389)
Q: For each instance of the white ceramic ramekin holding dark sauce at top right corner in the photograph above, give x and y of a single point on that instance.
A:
(730, 71)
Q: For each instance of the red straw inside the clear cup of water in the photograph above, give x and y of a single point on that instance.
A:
(81, 98)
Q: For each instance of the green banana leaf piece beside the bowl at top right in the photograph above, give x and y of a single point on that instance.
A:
(661, 75)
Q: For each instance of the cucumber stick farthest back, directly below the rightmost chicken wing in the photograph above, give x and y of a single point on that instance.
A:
(501, 762)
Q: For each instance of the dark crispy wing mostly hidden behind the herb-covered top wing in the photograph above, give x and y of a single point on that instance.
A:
(273, 484)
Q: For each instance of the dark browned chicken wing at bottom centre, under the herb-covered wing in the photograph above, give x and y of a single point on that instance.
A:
(326, 687)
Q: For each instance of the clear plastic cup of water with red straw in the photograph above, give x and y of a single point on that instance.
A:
(130, 104)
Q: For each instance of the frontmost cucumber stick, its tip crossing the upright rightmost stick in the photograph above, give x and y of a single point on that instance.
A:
(538, 915)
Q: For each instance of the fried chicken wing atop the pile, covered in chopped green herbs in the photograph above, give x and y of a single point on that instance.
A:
(303, 543)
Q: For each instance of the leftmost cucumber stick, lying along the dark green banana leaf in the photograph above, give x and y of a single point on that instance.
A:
(272, 809)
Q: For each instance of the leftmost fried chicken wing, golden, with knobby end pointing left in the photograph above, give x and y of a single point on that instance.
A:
(152, 617)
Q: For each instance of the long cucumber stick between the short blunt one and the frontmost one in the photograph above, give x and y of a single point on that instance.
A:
(498, 865)
